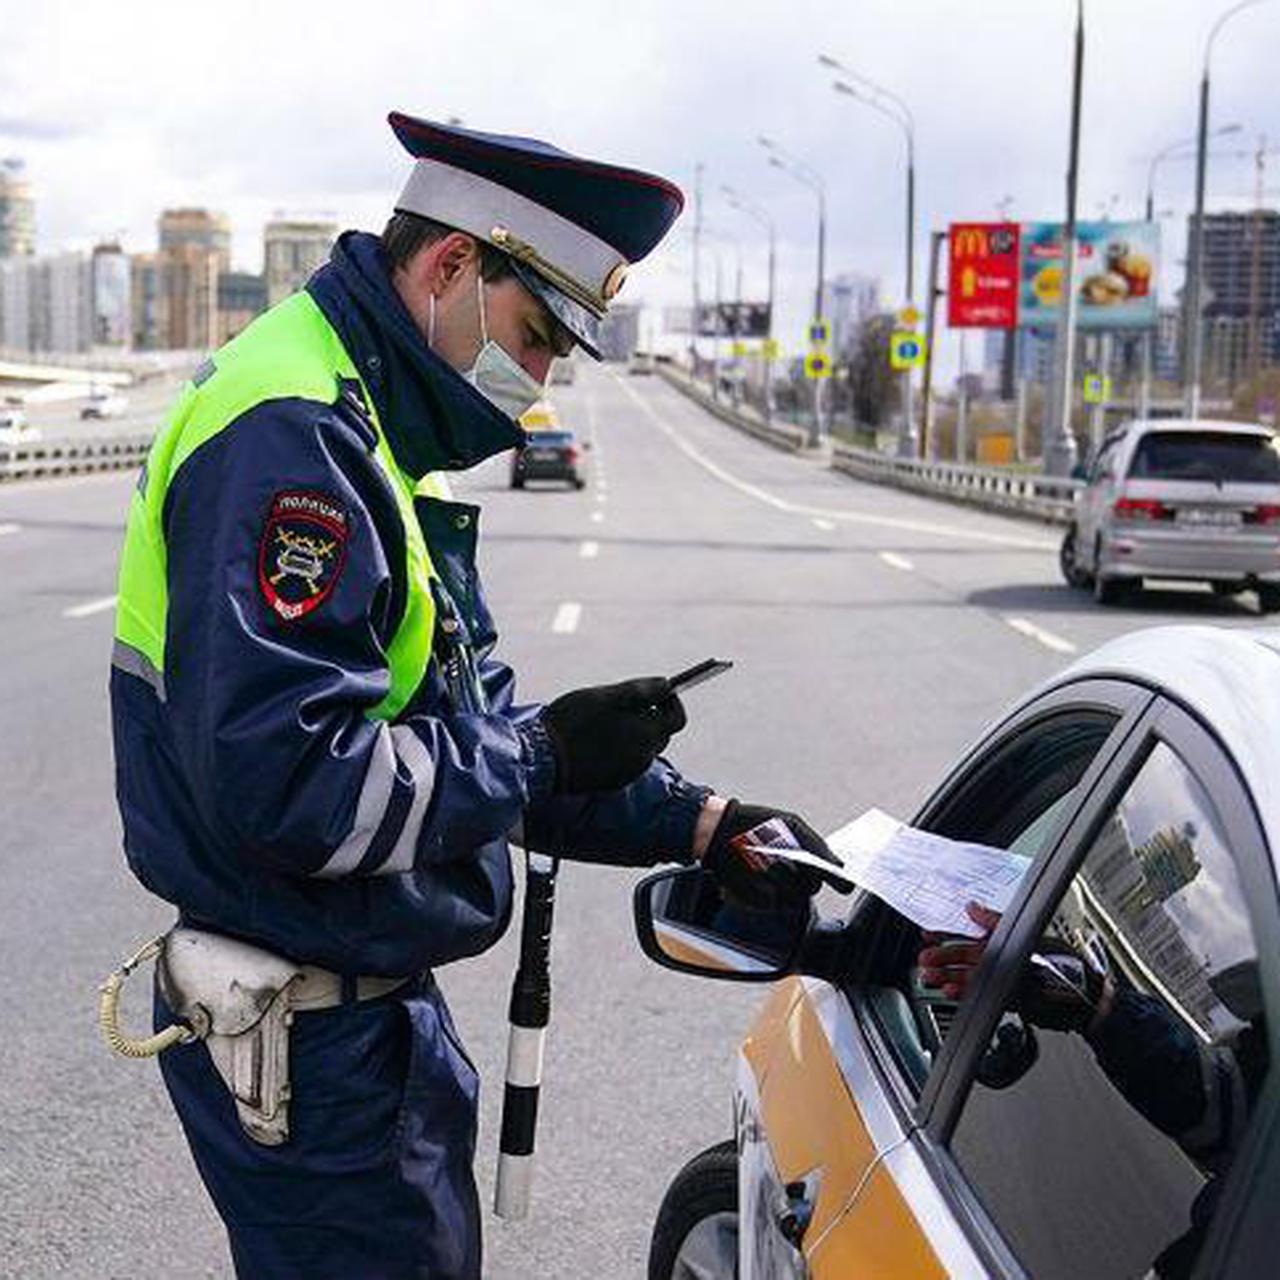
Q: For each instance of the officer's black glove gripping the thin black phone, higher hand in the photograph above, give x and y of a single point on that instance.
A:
(609, 735)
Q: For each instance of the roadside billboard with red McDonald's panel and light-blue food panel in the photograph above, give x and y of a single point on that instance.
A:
(1008, 275)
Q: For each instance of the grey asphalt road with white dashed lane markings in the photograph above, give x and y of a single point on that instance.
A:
(874, 633)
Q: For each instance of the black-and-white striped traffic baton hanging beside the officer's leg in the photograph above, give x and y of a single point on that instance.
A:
(531, 1013)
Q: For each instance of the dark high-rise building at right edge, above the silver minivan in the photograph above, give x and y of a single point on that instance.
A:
(1241, 290)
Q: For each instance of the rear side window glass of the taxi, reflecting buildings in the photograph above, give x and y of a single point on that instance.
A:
(1118, 1085)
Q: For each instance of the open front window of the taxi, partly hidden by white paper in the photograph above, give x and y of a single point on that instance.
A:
(1012, 798)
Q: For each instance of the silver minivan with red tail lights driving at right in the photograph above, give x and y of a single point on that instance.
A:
(1180, 500)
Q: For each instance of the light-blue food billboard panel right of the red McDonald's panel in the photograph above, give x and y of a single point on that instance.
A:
(1116, 276)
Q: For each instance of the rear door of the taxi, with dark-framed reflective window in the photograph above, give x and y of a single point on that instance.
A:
(1131, 1142)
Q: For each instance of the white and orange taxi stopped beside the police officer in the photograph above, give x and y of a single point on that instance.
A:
(886, 1131)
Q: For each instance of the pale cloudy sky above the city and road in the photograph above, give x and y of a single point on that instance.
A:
(122, 109)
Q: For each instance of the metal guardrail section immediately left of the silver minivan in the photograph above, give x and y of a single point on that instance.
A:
(1017, 493)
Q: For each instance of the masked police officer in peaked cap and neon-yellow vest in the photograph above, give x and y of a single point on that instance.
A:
(319, 758)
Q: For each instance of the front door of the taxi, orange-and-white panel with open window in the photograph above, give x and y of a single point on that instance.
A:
(849, 1076)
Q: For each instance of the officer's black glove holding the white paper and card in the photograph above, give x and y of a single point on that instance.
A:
(756, 880)
